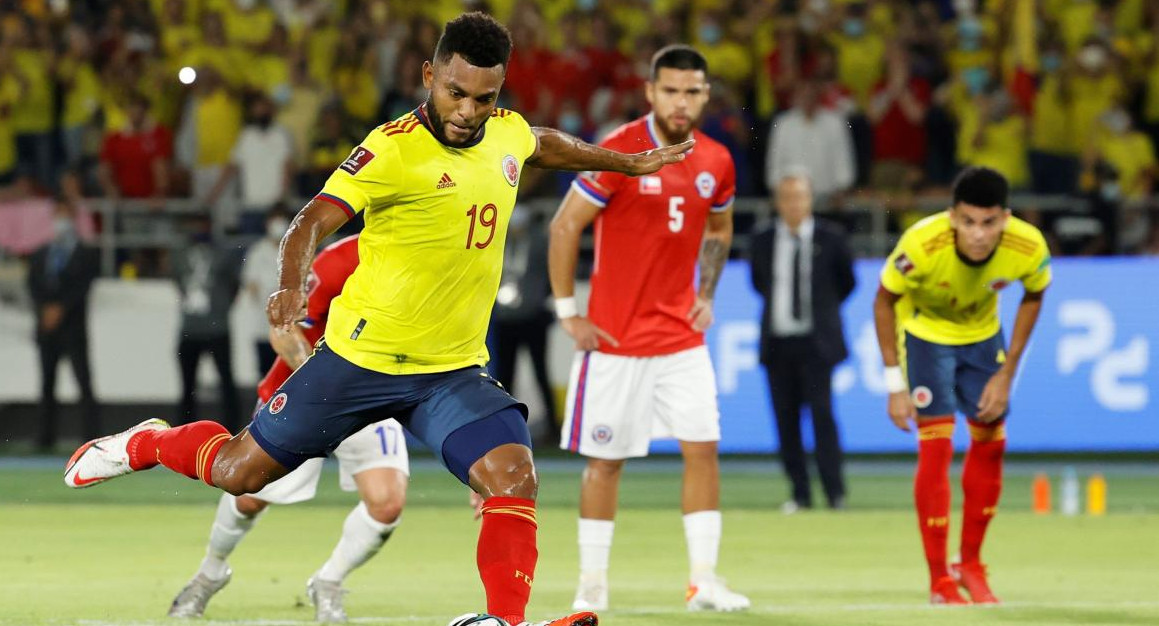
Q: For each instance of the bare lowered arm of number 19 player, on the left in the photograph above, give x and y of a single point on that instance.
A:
(316, 222)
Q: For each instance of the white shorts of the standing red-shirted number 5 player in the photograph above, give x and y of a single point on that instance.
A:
(617, 405)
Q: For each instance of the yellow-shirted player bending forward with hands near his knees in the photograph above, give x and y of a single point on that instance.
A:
(938, 302)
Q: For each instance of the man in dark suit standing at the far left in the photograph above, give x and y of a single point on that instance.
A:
(60, 278)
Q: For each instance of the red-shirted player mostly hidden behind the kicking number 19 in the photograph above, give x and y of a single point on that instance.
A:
(373, 461)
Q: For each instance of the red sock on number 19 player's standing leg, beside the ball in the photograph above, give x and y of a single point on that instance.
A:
(507, 556)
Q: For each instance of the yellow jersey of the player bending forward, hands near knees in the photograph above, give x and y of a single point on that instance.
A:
(949, 301)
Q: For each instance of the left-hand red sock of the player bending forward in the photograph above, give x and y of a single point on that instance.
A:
(931, 490)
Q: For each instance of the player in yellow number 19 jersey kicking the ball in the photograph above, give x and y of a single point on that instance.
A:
(406, 338)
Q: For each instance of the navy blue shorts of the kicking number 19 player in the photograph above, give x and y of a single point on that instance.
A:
(329, 399)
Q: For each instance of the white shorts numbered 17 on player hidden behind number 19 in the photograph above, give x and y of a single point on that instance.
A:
(381, 445)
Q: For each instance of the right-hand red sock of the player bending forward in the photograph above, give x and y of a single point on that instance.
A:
(982, 483)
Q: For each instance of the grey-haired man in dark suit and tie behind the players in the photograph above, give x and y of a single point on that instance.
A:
(804, 271)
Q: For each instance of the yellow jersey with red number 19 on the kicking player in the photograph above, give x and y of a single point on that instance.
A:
(432, 253)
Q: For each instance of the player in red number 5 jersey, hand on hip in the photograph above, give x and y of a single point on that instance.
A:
(644, 370)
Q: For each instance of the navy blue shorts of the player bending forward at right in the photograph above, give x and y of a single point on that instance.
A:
(944, 378)
